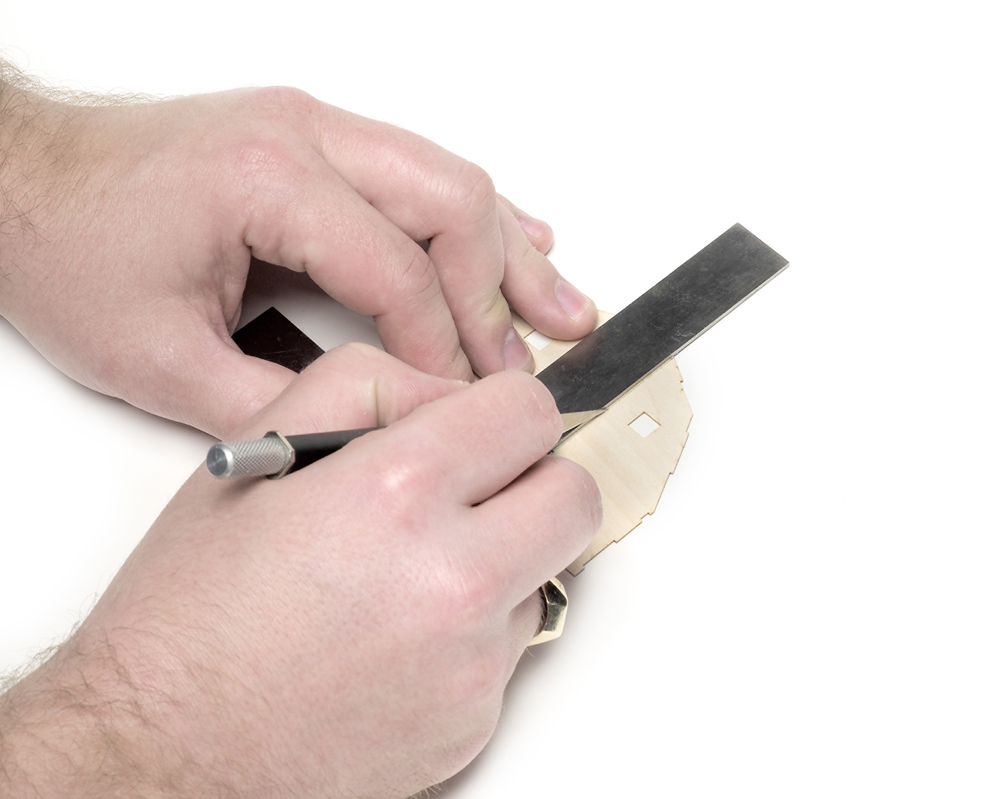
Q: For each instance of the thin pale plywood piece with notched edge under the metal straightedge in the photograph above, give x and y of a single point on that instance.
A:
(630, 470)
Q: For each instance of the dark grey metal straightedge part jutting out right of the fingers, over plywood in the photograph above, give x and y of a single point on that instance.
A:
(662, 322)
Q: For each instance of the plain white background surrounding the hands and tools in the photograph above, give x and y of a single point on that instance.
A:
(814, 610)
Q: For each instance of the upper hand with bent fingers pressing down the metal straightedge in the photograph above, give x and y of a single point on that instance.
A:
(128, 232)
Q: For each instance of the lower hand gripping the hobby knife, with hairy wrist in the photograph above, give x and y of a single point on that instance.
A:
(345, 631)
